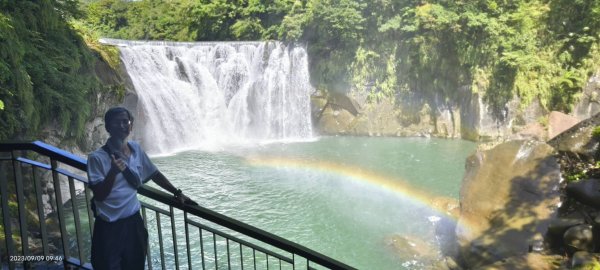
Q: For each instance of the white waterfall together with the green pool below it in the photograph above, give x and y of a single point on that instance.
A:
(246, 105)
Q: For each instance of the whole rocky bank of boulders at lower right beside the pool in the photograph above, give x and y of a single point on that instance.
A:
(533, 205)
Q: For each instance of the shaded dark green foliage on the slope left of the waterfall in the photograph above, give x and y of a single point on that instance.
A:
(46, 71)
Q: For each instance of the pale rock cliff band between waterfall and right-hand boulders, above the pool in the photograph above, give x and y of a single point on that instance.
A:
(467, 118)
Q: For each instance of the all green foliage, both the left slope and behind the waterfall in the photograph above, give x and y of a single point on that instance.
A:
(533, 49)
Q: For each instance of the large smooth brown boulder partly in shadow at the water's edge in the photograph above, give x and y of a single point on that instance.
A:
(508, 196)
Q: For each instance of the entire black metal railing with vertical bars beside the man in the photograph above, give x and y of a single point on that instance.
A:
(52, 181)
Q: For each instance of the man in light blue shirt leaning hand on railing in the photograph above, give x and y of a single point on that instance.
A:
(115, 172)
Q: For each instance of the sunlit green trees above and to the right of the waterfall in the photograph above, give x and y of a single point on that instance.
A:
(534, 49)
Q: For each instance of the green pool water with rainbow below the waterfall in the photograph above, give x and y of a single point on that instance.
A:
(344, 197)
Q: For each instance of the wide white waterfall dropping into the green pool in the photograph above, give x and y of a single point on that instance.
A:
(213, 95)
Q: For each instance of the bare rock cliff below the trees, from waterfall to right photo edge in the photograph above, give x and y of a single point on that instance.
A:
(467, 116)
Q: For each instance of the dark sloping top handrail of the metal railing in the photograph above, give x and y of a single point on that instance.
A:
(207, 214)
